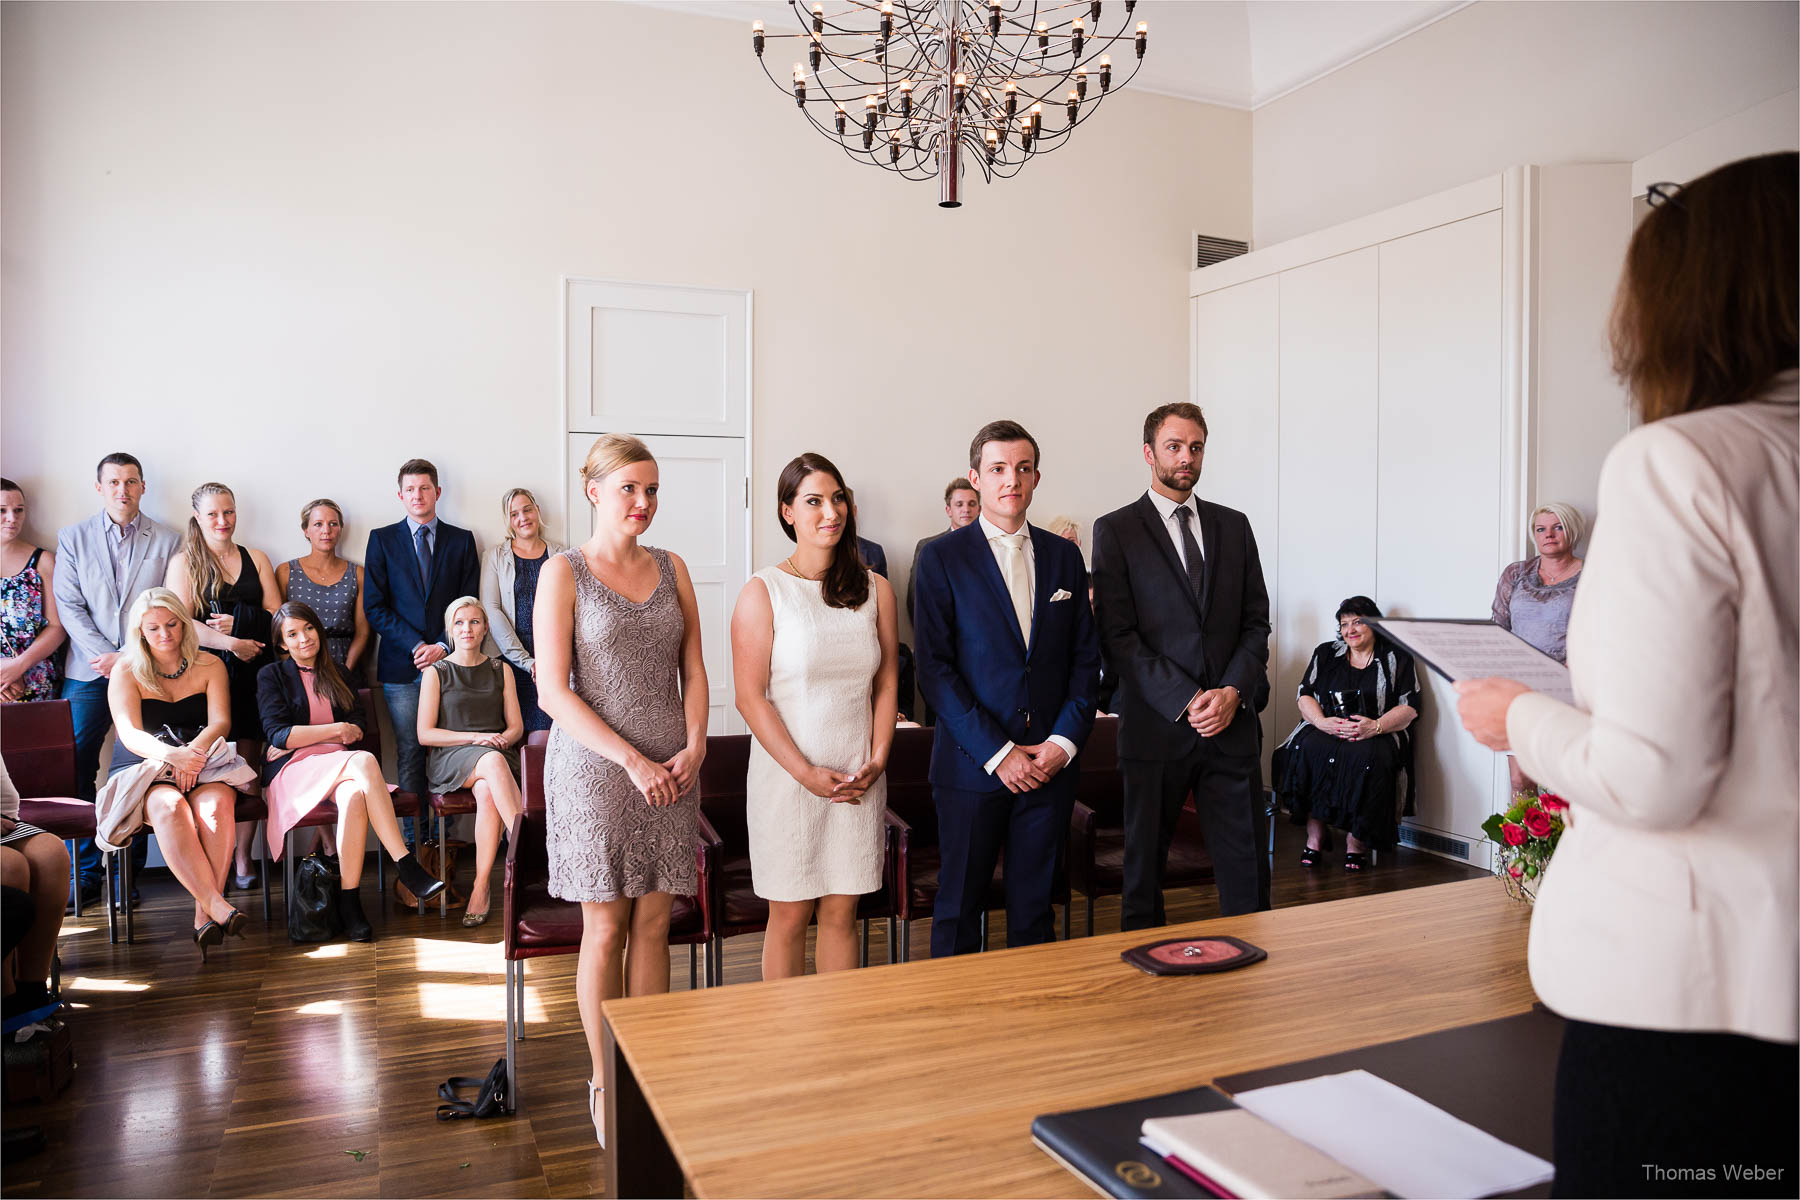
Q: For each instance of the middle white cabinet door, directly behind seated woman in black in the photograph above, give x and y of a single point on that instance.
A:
(1327, 544)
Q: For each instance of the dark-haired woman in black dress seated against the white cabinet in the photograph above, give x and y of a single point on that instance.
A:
(1342, 766)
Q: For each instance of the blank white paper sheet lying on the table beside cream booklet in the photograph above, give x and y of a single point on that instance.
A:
(1412, 1149)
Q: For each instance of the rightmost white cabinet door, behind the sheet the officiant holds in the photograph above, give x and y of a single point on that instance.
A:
(1439, 478)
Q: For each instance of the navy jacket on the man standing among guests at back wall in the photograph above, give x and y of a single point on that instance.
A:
(400, 609)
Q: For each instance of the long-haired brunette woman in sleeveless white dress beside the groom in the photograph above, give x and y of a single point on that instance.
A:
(814, 656)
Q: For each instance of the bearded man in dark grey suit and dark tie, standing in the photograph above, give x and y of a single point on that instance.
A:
(1183, 620)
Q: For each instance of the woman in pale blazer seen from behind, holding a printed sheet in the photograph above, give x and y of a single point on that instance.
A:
(1666, 927)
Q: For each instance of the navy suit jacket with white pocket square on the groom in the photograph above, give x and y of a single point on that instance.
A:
(973, 667)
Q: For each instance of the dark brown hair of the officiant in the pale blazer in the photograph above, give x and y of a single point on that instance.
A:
(1705, 310)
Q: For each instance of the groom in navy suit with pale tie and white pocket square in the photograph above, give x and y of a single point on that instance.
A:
(1011, 663)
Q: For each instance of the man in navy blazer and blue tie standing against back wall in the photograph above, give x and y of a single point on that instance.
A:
(413, 571)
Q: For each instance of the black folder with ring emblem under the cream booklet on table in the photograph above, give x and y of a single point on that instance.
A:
(1101, 1145)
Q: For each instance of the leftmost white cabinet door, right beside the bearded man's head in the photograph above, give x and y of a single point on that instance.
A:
(1236, 379)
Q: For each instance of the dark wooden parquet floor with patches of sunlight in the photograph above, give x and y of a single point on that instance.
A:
(312, 1071)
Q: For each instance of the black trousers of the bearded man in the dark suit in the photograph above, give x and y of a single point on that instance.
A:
(1228, 800)
